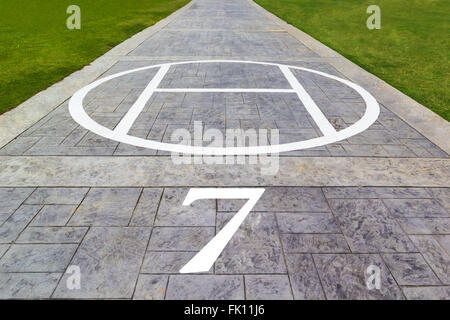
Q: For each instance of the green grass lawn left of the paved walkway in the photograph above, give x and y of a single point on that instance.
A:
(37, 49)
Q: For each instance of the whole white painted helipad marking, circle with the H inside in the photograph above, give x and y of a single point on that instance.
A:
(79, 115)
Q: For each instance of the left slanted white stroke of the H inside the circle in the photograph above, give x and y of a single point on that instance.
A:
(127, 121)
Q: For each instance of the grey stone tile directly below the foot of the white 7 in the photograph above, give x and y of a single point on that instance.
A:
(205, 287)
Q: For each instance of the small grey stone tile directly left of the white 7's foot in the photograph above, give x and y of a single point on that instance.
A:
(165, 262)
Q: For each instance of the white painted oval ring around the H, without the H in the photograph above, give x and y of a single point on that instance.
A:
(81, 117)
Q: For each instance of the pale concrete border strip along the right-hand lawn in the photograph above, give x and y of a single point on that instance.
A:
(432, 126)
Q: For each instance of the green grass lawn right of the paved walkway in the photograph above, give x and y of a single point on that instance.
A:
(410, 51)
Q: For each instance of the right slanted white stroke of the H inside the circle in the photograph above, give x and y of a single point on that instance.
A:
(317, 115)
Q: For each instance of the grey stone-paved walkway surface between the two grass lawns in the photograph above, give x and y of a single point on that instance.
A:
(69, 197)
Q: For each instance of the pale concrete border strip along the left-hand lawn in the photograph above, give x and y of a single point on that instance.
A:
(17, 120)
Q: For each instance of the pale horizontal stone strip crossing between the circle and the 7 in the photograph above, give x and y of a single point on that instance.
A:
(141, 171)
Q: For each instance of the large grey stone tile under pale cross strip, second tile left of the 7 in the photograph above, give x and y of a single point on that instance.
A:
(106, 207)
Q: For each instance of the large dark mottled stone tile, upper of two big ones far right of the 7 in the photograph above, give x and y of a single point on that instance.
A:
(368, 227)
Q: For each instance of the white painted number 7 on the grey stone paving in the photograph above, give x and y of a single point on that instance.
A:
(204, 260)
